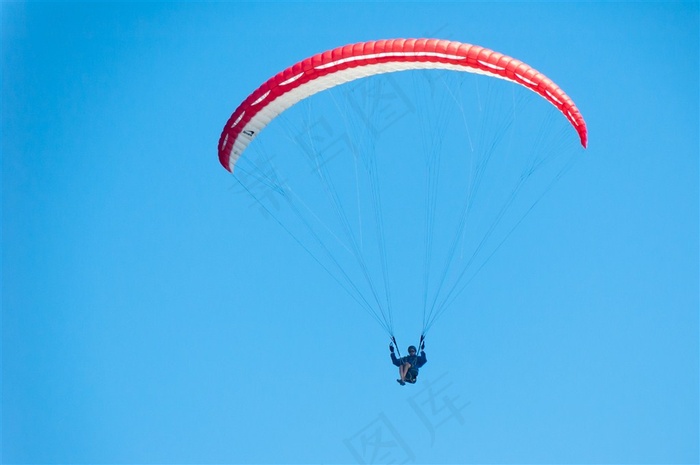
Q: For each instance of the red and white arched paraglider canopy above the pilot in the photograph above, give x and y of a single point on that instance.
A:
(344, 64)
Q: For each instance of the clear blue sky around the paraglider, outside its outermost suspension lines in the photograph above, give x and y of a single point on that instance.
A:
(152, 314)
